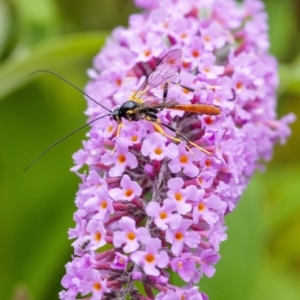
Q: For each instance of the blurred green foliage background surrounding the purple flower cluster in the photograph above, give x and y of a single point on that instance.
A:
(261, 258)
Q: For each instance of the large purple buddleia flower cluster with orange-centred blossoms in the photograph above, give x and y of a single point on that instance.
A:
(149, 205)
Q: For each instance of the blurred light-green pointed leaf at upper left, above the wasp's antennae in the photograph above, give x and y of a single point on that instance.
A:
(58, 53)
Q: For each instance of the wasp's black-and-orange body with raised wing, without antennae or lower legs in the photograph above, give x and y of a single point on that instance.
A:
(145, 103)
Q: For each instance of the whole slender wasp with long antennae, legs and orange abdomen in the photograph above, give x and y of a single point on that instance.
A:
(150, 98)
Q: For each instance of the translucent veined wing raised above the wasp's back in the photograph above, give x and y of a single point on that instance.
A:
(152, 89)
